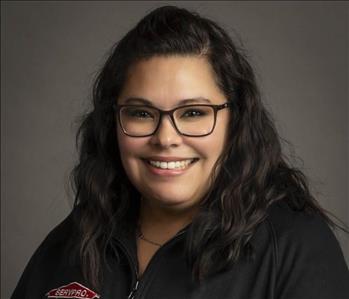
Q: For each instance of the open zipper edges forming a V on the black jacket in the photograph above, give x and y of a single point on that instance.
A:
(137, 282)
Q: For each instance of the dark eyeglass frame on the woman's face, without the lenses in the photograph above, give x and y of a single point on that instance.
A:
(117, 108)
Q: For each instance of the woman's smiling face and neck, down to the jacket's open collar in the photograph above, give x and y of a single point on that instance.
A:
(172, 171)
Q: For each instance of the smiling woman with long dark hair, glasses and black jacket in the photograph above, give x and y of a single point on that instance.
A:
(182, 190)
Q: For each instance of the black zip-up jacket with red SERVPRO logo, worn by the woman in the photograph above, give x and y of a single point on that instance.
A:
(297, 257)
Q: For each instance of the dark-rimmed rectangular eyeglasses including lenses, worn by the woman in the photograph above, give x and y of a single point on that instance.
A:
(189, 120)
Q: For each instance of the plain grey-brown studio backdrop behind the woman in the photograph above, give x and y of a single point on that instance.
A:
(51, 51)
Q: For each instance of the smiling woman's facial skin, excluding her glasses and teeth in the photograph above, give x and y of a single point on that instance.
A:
(165, 82)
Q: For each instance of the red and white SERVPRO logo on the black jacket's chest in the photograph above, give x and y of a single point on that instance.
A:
(72, 290)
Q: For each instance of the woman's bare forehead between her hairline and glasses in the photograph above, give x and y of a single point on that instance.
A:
(167, 80)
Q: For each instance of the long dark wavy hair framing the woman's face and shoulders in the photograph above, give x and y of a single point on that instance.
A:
(253, 171)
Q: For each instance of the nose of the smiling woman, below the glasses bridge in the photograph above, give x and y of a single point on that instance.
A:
(166, 135)
